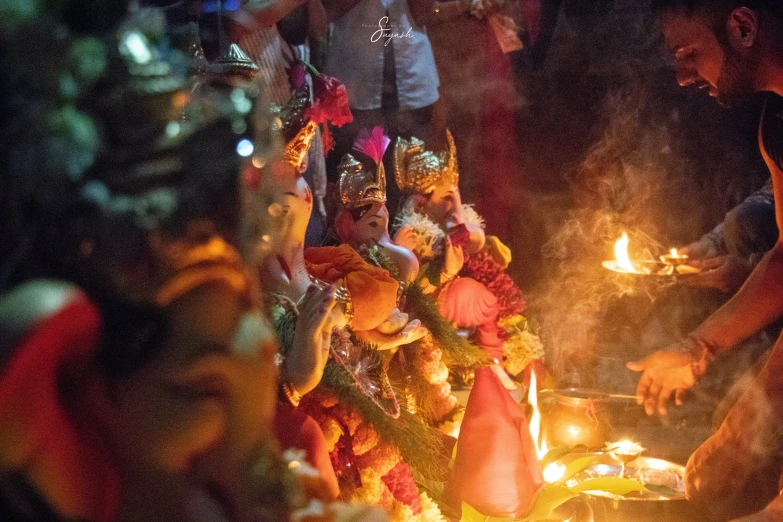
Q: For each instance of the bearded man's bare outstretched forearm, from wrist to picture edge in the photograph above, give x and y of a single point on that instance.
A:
(754, 306)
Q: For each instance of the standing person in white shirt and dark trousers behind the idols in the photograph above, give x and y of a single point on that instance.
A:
(381, 52)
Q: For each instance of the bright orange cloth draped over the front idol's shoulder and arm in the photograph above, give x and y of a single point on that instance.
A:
(373, 290)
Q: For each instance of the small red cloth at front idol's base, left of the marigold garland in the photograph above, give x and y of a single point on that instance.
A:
(300, 431)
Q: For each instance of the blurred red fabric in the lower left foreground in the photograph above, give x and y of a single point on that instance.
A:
(32, 409)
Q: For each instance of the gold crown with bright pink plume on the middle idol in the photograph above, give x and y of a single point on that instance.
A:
(360, 187)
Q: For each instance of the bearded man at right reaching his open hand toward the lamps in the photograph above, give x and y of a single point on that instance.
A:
(731, 49)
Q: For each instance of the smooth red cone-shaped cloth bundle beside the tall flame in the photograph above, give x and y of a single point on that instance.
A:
(496, 469)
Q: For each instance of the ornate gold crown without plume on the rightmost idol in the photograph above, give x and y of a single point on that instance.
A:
(417, 169)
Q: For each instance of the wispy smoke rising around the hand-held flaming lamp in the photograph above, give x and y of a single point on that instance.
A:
(631, 181)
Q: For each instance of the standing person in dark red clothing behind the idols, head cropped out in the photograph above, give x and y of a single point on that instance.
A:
(475, 42)
